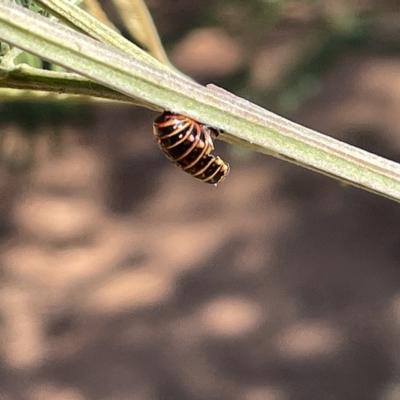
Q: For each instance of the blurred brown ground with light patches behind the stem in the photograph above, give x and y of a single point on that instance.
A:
(124, 278)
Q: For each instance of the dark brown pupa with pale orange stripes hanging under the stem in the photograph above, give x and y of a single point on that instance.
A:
(188, 145)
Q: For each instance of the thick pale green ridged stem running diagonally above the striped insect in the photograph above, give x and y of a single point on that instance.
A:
(246, 123)
